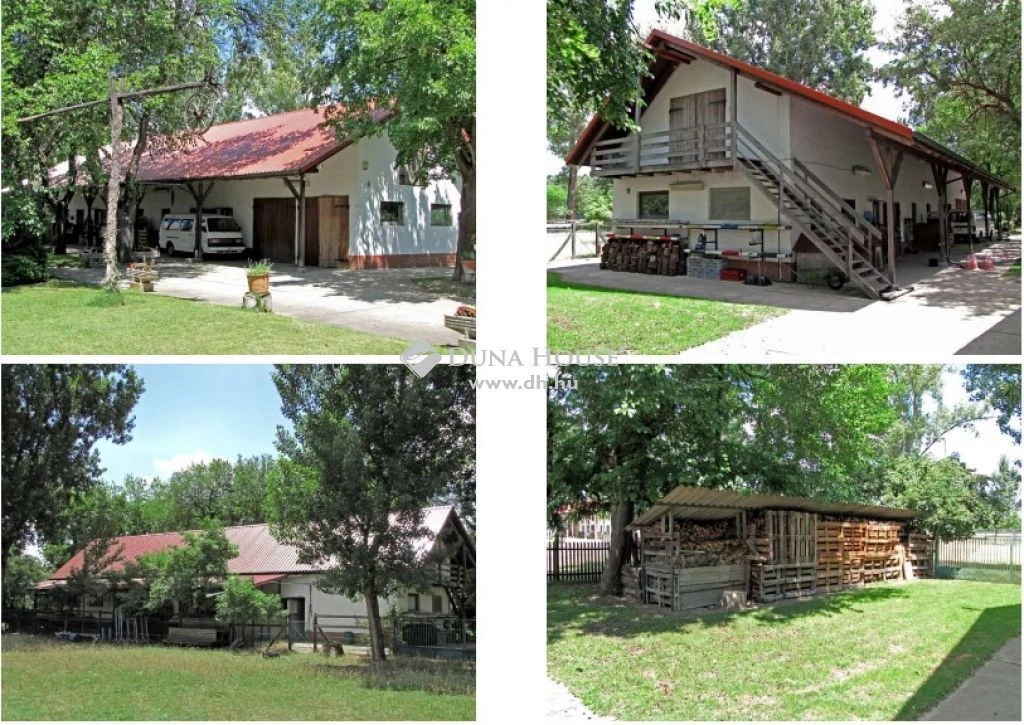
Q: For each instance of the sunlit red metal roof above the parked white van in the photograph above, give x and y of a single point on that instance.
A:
(273, 146)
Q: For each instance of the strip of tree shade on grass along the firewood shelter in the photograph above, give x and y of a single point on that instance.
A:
(611, 617)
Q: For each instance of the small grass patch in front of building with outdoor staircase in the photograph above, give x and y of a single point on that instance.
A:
(586, 319)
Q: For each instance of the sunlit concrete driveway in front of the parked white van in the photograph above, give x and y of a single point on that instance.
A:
(407, 305)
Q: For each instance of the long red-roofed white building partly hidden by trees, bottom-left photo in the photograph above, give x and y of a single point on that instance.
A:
(275, 568)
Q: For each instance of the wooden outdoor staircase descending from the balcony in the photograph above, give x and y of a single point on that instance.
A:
(832, 226)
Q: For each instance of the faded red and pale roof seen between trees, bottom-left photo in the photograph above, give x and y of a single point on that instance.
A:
(260, 552)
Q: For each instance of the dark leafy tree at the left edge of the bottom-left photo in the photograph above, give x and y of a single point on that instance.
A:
(54, 417)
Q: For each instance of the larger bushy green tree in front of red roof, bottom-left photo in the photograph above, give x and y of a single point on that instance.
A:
(187, 575)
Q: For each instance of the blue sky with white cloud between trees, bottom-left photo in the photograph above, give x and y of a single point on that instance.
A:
(194, 413)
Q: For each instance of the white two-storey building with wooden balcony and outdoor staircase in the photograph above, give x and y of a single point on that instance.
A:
(757, 173)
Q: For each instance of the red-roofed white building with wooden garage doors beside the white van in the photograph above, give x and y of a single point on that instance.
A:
(300, 193)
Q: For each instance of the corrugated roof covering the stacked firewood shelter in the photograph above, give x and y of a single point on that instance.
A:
(704, 504)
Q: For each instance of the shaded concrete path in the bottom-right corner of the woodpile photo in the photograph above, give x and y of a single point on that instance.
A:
(994, 693)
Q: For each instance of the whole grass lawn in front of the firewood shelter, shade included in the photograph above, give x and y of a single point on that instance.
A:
(883, 653)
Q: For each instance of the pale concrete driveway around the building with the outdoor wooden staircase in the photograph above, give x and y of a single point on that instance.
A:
(951, 312)
